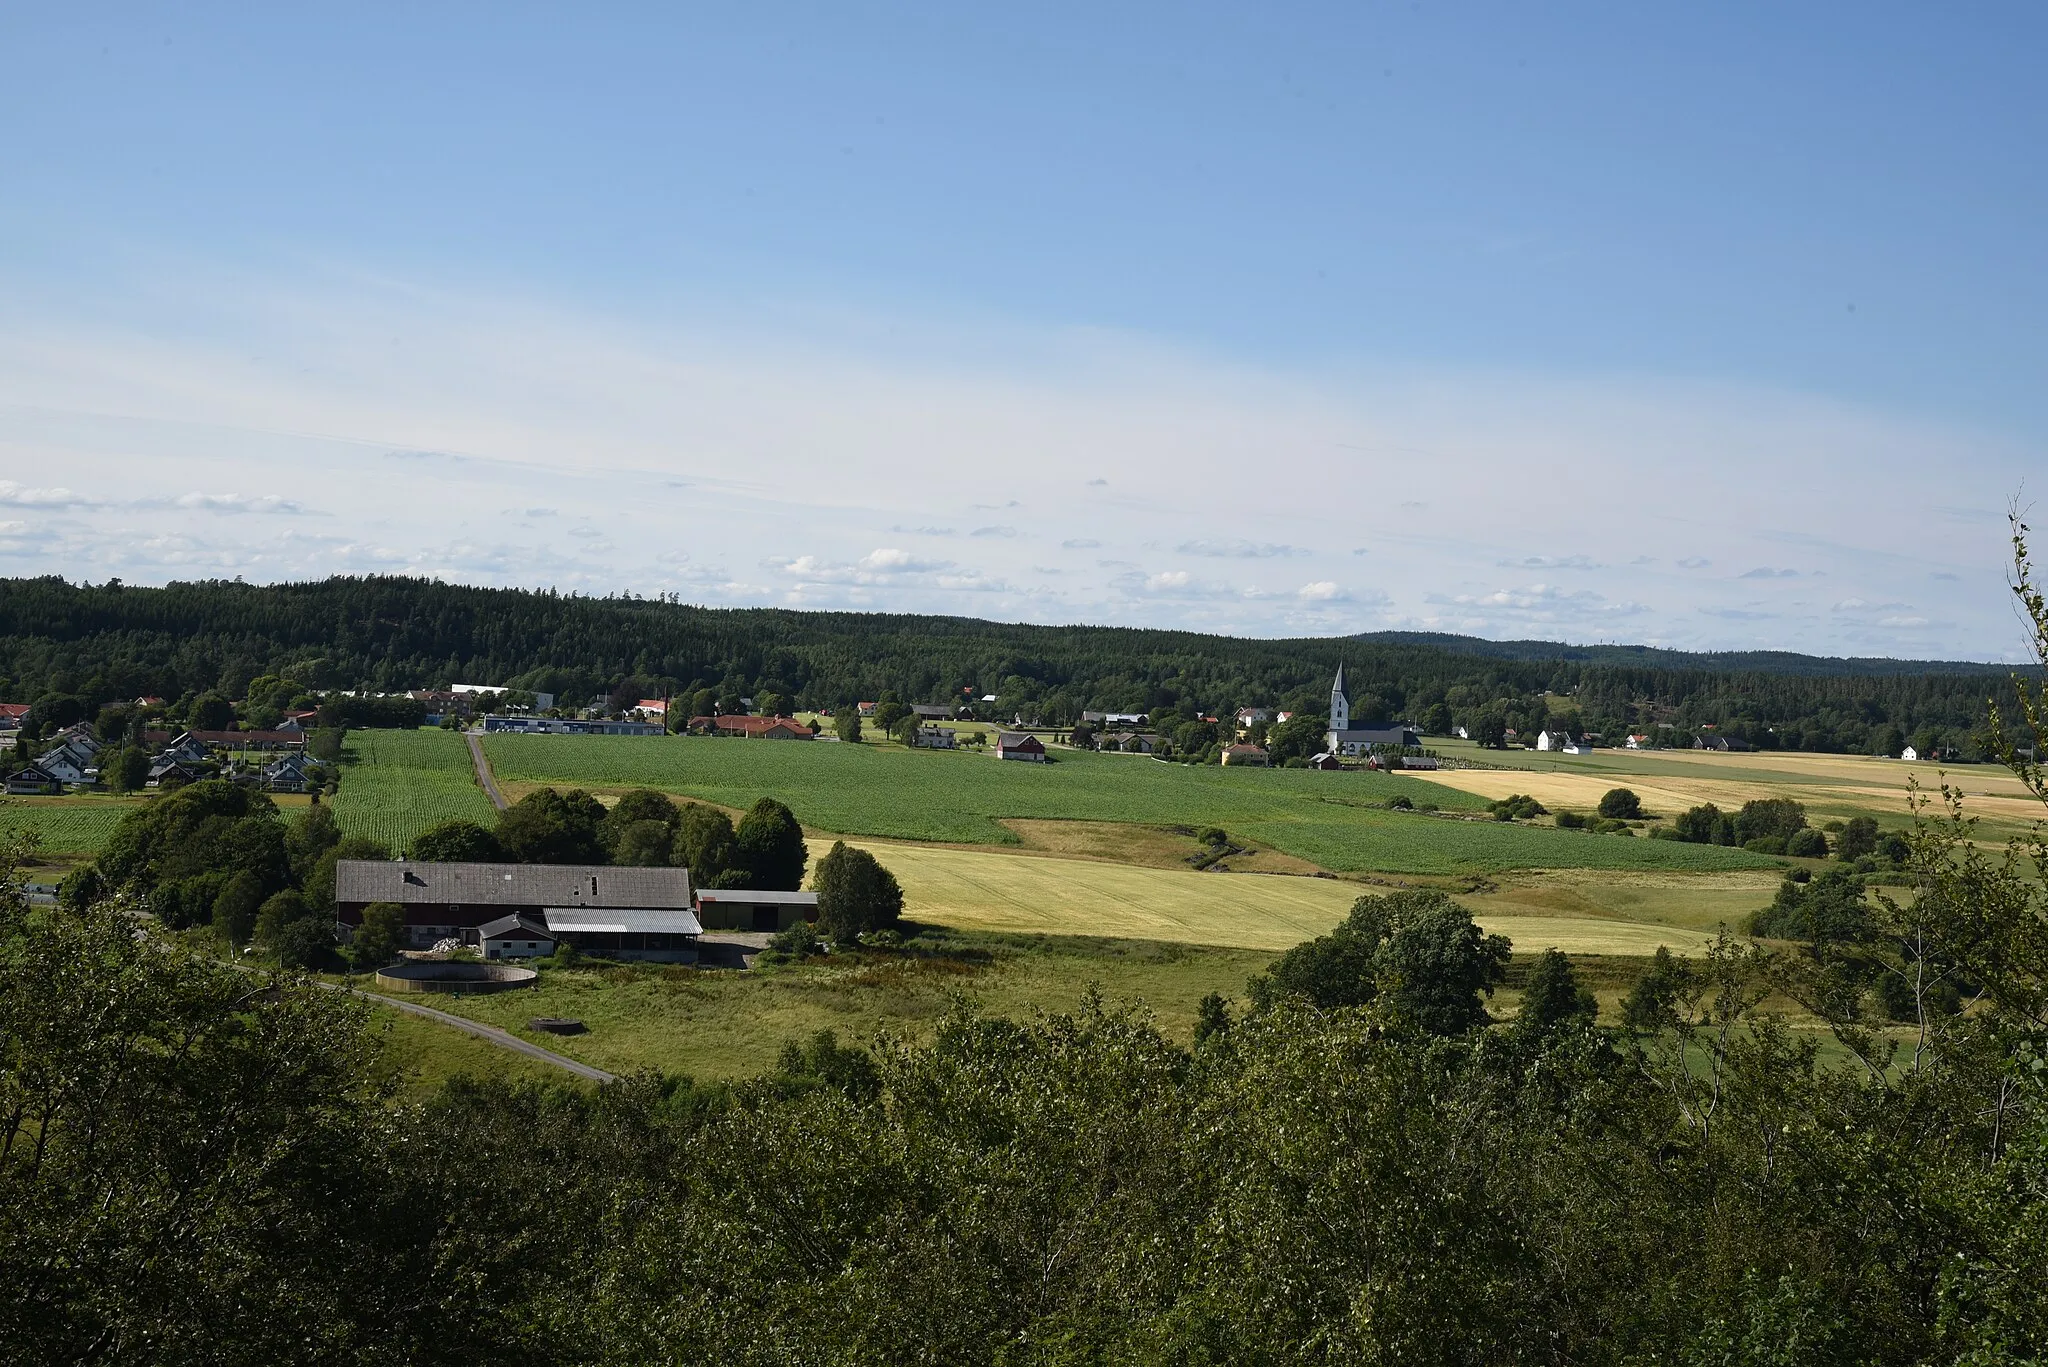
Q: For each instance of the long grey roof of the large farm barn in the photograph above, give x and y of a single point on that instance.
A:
(404, 880)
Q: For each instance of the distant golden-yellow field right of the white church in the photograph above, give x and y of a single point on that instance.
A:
(1676, 780)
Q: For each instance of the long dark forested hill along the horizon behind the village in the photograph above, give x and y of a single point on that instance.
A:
(112, 643)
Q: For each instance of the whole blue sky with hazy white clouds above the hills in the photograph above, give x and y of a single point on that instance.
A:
(1715, 329)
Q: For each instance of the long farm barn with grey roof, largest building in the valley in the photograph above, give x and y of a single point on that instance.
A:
(456, 901)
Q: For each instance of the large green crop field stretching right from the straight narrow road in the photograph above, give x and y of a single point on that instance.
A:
(1330, 819)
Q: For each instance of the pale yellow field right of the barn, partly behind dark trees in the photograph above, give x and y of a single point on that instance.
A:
(986, 890)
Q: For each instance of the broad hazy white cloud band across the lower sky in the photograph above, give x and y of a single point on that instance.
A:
(628, 438)
